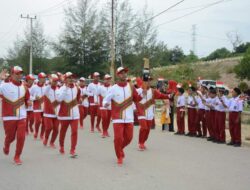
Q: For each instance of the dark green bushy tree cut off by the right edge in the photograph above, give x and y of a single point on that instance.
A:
(242, 69)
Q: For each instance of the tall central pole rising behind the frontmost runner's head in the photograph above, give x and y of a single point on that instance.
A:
(112, 53)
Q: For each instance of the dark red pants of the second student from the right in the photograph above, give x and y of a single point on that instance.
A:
(220, 133)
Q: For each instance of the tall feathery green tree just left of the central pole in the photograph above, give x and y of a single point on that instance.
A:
(81, 44)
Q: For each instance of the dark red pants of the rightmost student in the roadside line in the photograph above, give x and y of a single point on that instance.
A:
(235, 127)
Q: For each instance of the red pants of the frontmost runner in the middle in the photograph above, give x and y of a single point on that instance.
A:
(123, 134)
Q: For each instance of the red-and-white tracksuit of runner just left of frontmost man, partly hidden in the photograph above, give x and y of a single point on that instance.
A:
(105, 112)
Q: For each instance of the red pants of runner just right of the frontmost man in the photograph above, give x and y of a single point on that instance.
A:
(145, 126)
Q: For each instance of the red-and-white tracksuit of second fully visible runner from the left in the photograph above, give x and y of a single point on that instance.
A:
(37, 91)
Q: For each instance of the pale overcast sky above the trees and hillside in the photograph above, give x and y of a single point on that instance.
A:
(212, 23)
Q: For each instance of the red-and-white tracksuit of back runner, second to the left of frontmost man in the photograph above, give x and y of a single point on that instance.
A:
(93, 93)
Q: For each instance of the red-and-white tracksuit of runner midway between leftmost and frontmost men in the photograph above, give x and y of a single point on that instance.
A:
(68, 114)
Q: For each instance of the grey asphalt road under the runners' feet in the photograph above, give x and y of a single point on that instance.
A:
(170, 162)
